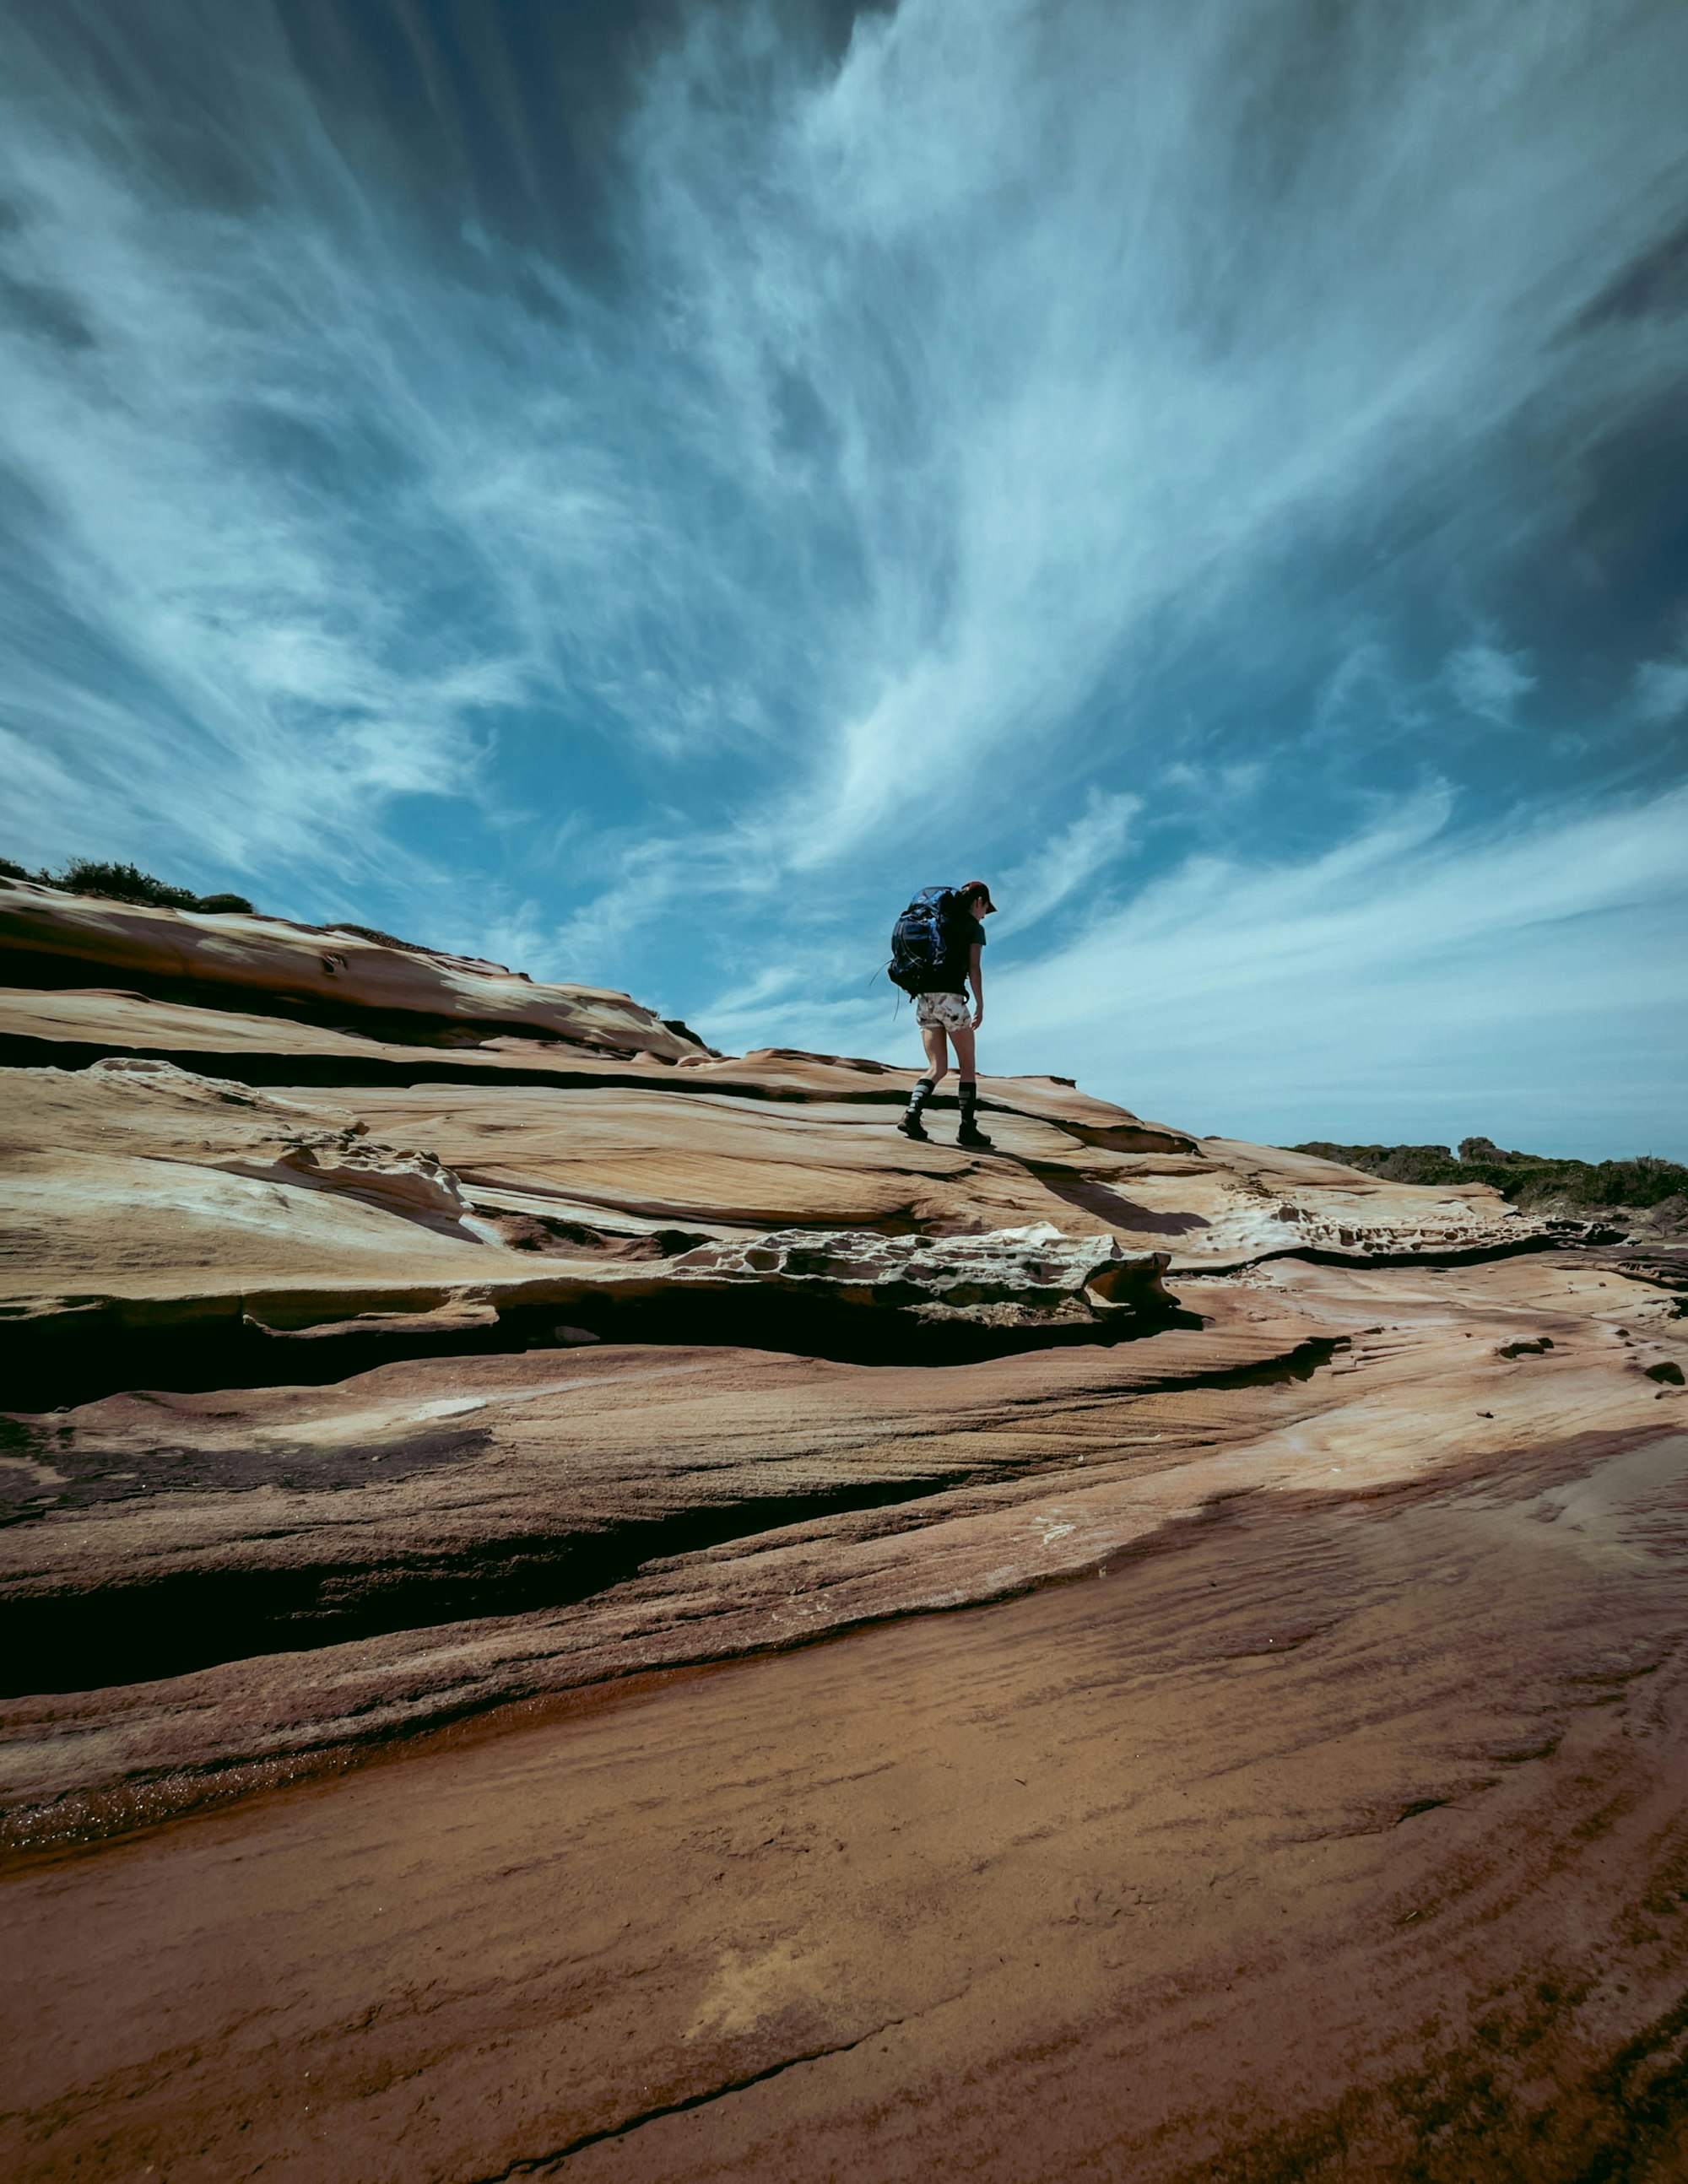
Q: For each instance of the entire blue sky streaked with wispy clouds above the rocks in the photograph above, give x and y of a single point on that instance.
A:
(641, 490)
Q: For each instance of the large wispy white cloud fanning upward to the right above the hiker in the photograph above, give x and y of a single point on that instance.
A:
(1095, 318)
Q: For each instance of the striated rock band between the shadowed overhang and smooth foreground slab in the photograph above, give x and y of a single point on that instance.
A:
(626, 1508)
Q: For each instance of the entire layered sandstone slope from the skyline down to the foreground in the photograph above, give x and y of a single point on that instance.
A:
(361, 1386)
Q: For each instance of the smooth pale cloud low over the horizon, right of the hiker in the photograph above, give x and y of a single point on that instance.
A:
(1410, 973)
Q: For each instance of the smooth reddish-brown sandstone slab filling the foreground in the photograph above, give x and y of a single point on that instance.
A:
(1335, 1823)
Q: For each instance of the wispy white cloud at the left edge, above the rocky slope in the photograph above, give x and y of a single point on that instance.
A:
(230, 665)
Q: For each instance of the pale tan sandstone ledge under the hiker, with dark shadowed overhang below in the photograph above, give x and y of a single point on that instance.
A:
(156, 1220)
